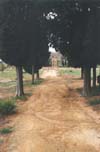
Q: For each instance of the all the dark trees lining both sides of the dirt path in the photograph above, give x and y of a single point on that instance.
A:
(71, 26)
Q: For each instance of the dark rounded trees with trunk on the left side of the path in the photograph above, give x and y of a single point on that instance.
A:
(23, 37)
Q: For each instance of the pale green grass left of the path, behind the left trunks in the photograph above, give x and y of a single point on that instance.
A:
(8, 84)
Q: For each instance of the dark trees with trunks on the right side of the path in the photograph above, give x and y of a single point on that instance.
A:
(75, 32)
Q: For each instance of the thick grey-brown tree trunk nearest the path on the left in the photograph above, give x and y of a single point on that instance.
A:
(19, 81)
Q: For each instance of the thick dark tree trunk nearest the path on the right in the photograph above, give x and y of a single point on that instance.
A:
(87, 81)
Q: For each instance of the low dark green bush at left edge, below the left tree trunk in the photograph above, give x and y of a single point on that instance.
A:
(7, 107)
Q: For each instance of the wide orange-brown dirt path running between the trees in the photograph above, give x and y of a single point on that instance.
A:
(56, 119)
